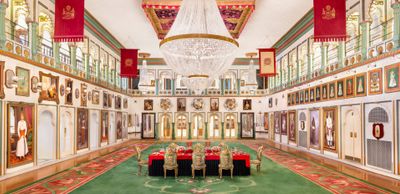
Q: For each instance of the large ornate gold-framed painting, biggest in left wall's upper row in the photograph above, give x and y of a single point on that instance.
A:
(49, 87)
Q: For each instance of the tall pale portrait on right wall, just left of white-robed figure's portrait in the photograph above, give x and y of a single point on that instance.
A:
(314, 129)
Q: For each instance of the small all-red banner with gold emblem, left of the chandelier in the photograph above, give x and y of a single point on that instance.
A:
(129, 61)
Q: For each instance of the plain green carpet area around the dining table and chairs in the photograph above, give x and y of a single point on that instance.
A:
(273, 178)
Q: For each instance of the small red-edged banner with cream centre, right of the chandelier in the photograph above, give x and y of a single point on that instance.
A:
(267, 60)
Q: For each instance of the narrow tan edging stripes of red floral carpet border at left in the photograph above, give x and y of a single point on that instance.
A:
(54, 176)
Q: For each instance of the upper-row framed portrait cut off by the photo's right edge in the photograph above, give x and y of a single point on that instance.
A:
(392, 78)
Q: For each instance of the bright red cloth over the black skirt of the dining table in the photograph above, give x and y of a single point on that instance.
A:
(209, 156)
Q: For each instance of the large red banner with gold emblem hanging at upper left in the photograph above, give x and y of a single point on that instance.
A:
(69, 20)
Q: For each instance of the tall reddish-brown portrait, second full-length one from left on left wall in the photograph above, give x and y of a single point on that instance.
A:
(82, 130)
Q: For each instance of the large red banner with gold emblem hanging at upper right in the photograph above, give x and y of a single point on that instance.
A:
(329, 20)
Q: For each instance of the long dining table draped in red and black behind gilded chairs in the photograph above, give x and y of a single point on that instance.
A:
(241, 163)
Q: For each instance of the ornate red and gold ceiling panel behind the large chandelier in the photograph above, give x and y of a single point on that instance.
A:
(162, 14)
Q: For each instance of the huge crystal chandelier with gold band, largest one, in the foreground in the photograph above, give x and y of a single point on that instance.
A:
(198, 46)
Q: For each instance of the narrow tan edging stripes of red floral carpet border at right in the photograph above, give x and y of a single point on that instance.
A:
(362, 182)
